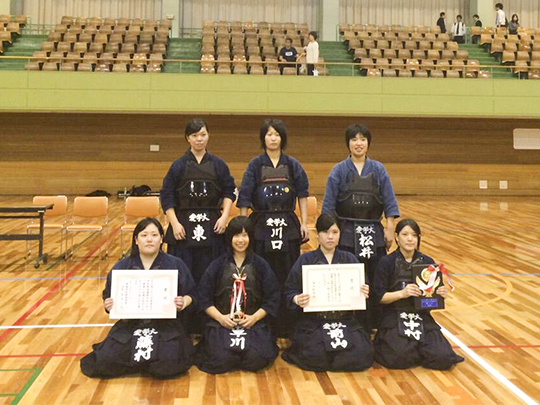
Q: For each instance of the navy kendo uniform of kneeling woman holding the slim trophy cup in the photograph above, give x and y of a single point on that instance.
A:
(223, 349)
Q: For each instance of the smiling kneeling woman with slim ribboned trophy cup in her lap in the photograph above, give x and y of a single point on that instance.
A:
(238, 292)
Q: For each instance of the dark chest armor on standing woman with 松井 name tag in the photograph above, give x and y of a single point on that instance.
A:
(361, 199)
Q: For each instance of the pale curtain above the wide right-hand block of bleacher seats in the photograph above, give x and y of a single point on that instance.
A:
(403, 12)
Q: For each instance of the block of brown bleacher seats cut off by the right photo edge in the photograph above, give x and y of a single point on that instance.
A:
(521, 51)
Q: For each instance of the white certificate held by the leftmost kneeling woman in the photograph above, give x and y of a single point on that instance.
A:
(144, 294)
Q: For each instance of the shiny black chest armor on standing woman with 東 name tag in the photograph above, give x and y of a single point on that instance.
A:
(199, 187)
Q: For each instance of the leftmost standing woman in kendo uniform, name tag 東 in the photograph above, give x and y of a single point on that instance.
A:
(197, 195)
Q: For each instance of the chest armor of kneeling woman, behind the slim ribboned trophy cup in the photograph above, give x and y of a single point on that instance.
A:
(253, 289)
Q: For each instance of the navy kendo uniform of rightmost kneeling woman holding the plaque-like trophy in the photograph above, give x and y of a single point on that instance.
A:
(395, 347)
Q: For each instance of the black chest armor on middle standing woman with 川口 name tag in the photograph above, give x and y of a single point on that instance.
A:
(275, 192)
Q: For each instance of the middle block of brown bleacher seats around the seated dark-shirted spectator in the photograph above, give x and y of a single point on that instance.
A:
(241, 47)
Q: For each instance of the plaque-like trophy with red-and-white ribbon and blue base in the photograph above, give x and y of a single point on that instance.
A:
(429, 278)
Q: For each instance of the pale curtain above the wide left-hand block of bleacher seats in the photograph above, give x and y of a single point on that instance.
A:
(51, 11)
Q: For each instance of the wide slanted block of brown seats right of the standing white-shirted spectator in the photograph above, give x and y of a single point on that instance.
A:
(415, 51)
